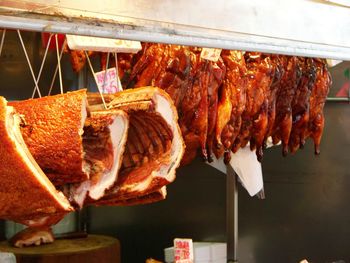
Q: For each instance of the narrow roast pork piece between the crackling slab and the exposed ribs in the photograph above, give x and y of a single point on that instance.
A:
(104, 139)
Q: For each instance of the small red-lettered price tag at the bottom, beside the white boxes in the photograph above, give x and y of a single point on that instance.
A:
(183, 250)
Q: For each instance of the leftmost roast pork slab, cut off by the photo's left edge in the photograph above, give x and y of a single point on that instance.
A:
(26, 194)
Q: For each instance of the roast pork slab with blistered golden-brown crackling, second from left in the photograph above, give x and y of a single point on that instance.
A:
(53, 128)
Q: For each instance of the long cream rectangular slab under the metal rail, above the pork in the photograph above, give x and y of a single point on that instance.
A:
(102, 44)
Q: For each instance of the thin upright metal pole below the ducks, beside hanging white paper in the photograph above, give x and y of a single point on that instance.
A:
(231, 215)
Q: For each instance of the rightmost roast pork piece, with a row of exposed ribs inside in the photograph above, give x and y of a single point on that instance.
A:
(154, 146)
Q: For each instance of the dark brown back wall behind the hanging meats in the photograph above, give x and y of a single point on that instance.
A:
(305, 214)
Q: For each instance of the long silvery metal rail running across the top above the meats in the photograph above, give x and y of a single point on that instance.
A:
(173, 34)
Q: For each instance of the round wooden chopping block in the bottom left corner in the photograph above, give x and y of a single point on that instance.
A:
(93, 249)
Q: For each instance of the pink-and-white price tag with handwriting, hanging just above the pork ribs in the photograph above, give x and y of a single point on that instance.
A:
(111, 83)
